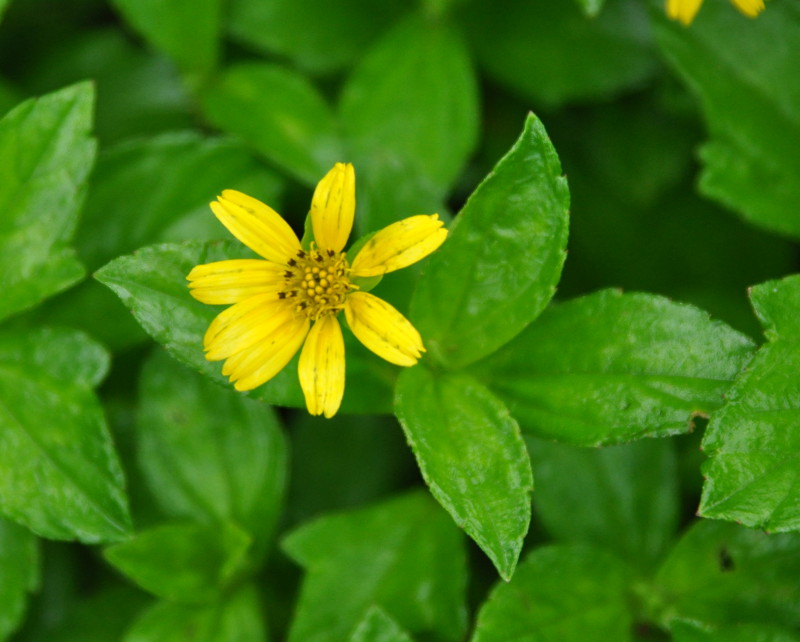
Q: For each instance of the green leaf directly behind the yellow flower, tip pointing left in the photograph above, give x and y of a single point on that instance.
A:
(152, 285)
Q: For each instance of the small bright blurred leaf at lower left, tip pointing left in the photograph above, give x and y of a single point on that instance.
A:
(190, 563)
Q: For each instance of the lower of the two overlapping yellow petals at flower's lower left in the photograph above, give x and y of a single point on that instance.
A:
(258, 364)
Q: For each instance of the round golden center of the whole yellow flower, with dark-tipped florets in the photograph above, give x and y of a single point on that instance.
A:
(318, 281)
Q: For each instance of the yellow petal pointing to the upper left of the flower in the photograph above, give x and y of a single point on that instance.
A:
(256, 225)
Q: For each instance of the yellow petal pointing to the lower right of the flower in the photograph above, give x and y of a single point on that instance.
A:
(383, 329)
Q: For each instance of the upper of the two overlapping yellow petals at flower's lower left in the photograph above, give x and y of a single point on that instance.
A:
(244, 324)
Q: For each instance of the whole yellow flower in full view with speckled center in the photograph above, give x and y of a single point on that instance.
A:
(292, 298)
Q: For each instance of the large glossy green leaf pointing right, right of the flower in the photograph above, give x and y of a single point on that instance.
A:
(612, 367)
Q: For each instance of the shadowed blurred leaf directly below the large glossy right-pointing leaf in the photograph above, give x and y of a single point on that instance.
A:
(623, 498)
